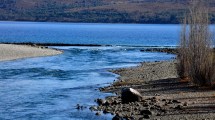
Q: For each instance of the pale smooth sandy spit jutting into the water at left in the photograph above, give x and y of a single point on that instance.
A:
(12, 51)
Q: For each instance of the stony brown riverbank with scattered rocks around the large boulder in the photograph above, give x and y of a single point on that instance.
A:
(165, 95)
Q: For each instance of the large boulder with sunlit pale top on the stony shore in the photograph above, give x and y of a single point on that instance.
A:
(130, 95)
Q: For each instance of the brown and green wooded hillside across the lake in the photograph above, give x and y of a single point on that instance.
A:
(97, 11)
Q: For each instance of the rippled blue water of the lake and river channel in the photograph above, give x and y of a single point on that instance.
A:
(49, 88)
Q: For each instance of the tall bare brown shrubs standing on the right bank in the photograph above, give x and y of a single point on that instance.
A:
(195, 54)
